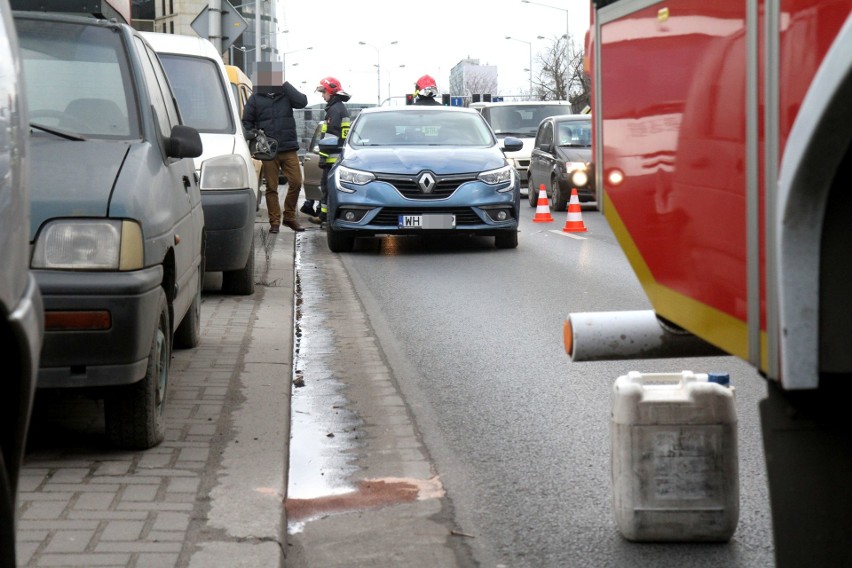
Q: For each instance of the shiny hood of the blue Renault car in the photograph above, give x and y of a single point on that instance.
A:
(411, 160)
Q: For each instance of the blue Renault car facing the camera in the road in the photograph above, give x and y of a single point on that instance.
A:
(422, 170)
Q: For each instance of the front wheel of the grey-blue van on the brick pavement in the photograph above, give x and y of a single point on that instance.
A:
(134, 414)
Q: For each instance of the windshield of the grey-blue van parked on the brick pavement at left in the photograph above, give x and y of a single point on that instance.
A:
(76, 79)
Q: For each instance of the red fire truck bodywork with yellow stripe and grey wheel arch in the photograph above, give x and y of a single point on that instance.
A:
(698, 108)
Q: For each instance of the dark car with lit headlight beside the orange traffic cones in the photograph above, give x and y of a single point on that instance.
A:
(561, 160)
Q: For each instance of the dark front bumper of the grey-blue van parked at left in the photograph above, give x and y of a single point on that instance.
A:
(117, 355)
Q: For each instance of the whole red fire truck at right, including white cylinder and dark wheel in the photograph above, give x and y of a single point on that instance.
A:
(722, 147)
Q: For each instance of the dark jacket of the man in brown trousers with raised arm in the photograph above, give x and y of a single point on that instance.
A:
(273, 113)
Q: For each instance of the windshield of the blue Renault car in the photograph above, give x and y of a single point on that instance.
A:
(413, 128)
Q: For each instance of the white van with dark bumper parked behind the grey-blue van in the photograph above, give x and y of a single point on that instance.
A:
(229, 182)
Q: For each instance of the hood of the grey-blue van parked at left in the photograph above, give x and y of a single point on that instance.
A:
(73, 179)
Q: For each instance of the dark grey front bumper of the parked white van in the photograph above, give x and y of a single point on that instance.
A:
(229, 228)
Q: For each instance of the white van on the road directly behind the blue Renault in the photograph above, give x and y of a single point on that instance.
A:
(520, 120)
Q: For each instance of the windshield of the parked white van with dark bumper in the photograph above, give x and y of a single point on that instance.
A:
(200, 92)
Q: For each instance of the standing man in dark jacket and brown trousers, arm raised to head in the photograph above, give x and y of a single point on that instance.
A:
(270, 109)
